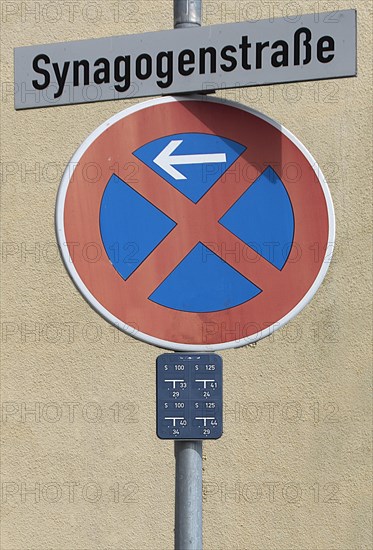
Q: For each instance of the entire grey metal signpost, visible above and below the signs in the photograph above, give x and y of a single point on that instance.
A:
(188, 454)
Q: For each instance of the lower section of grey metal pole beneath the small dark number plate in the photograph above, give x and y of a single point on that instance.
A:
(188, 495)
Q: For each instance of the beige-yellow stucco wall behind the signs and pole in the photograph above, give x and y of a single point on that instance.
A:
(292, 470)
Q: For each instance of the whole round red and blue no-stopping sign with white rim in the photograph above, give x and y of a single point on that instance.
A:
(195, 223)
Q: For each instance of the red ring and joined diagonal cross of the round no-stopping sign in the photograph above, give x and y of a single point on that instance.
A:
(128, 301)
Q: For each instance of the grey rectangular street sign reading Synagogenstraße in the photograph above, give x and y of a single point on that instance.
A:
(251, 53)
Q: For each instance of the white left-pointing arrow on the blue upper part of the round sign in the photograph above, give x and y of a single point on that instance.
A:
(167, 162)
